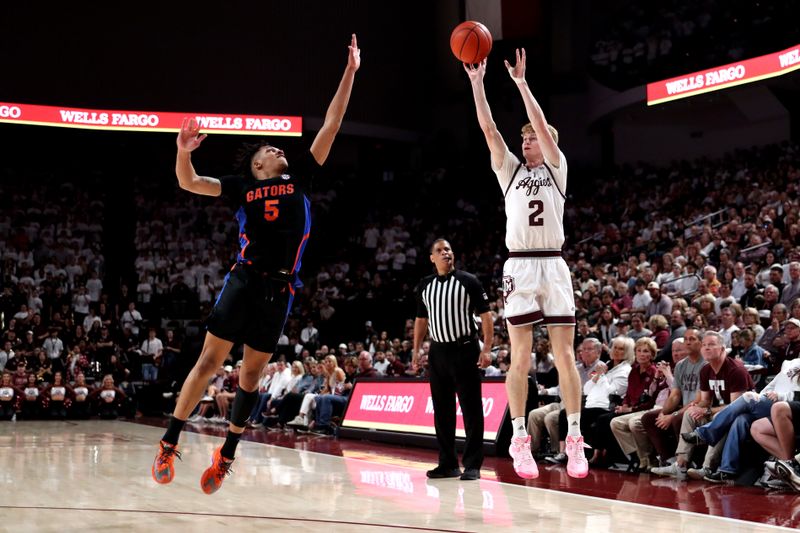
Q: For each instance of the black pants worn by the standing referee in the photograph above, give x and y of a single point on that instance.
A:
(454, 370)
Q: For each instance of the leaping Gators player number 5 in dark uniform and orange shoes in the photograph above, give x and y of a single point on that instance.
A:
(272, 208)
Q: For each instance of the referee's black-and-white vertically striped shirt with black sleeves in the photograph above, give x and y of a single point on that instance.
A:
(449, 303)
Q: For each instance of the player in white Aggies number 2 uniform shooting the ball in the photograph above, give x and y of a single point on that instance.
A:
(537, 287)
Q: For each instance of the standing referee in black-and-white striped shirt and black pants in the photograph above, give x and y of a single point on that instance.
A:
(446, 302)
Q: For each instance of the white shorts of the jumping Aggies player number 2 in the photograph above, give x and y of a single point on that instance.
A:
(538, 290)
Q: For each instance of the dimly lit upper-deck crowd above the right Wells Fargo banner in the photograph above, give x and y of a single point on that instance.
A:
(636, 43)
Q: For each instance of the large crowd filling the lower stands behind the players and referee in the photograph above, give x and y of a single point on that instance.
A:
(712, 245)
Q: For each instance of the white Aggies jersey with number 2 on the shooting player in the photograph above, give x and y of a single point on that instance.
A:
(534, 203)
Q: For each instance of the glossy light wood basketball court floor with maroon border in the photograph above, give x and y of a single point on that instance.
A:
(95, 476)
